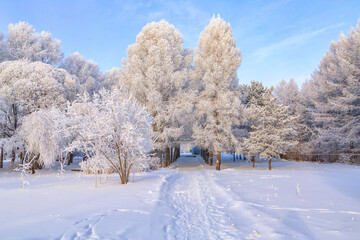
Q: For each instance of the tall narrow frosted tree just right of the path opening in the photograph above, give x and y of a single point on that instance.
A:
(216, 61)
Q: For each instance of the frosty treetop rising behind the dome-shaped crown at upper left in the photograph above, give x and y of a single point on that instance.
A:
(25, 43)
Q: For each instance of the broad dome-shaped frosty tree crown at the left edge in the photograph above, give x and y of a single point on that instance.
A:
(36, 85)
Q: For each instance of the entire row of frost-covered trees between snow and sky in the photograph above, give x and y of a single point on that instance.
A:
(136, 117)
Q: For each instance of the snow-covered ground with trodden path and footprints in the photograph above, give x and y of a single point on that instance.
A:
(190, 200)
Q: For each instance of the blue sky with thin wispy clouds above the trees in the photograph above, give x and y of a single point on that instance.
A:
(278, 38)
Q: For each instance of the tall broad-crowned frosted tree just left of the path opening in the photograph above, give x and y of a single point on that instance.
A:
(156, 73)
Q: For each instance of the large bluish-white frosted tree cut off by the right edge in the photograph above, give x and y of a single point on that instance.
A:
(337, 97)
